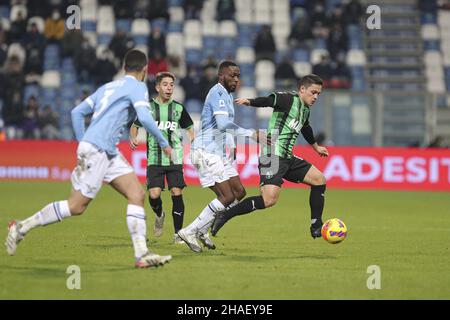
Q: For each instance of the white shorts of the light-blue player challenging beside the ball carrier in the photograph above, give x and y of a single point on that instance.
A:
(212, 168)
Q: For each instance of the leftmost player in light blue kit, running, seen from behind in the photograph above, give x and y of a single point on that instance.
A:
(113, 107)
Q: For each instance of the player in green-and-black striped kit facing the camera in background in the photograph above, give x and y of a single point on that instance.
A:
(170, 117)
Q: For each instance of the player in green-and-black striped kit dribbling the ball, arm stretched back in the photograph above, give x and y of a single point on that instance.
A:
(290, 117)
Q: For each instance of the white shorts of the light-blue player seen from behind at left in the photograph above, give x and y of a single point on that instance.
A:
(94, 167)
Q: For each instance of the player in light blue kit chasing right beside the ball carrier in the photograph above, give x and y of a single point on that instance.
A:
(208, 155)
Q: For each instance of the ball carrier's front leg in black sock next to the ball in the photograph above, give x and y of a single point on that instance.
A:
(317, 181)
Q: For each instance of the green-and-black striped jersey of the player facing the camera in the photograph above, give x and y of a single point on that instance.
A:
(169, 117)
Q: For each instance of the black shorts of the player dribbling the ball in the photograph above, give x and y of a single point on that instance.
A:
(294, 170)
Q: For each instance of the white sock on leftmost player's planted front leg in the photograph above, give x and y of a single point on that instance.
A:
(138, 229)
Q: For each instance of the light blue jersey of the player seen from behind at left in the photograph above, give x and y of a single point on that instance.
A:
(114, 106)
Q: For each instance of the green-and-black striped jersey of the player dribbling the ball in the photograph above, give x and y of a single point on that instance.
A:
(289, 115)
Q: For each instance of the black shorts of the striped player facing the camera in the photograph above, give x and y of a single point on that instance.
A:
(156, 176)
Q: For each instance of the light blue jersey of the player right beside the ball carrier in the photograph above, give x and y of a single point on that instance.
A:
(216, 120)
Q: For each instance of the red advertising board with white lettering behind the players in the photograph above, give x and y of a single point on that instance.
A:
(347, 167)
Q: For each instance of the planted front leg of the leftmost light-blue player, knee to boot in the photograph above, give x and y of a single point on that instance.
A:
(129, 186)
